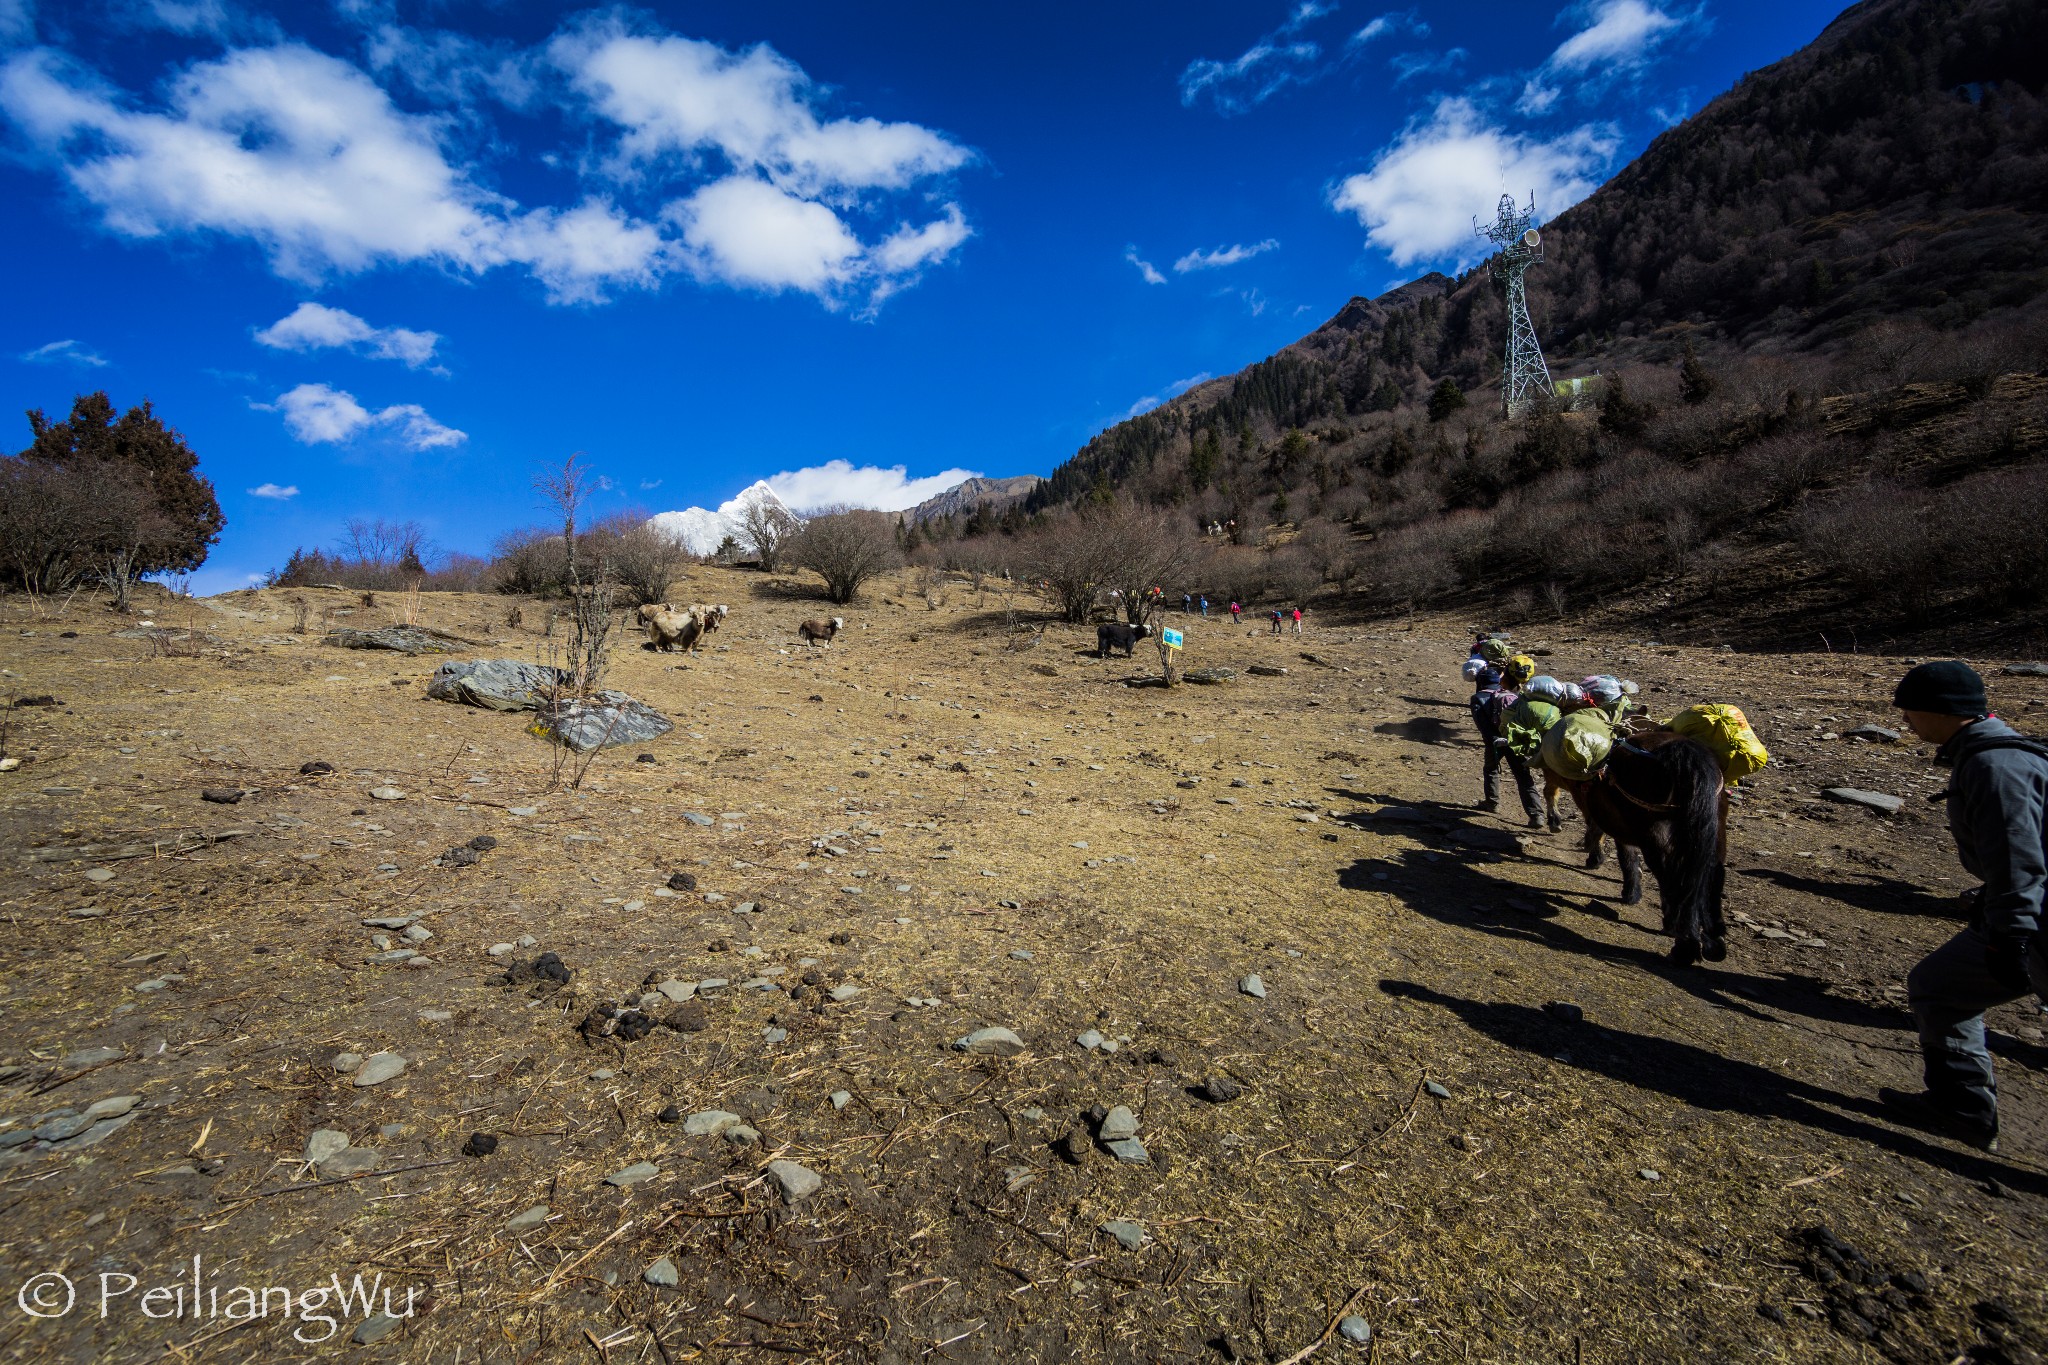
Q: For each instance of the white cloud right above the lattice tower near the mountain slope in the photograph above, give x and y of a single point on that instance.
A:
(1424, 189)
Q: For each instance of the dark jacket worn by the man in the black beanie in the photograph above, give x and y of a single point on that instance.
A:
(1998, 811)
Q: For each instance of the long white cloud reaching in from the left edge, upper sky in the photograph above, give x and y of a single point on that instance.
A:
(308, 159)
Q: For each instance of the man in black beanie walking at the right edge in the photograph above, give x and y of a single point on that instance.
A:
(1998, 805)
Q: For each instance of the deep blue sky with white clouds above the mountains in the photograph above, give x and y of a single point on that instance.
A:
(384, 259)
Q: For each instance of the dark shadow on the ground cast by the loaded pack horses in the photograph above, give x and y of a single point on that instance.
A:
(1451, 887)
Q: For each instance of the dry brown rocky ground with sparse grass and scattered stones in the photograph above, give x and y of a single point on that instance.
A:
(931, 1000)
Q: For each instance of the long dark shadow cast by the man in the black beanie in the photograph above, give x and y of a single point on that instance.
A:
(1707, 1080)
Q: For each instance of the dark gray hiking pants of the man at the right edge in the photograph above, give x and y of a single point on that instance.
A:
(1951, 992)
